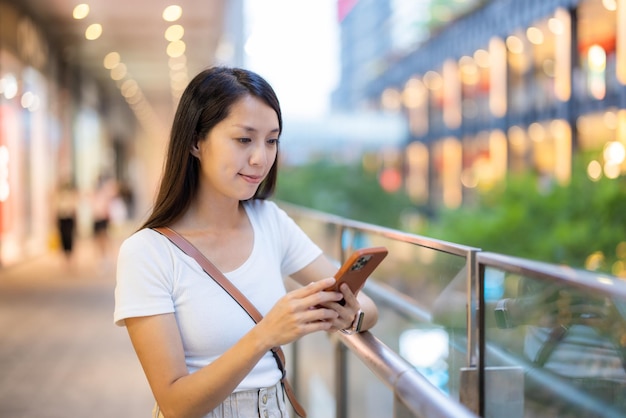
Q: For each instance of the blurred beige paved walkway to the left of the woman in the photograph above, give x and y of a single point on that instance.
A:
(60, 353)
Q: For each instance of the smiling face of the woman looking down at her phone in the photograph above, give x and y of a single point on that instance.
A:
(237, 154)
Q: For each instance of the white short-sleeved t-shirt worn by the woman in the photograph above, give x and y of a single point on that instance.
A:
(155, 277)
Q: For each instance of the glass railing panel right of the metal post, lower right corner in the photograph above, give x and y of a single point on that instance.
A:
(553, 350)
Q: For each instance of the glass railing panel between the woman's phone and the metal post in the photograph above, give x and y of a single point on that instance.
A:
(432, 333)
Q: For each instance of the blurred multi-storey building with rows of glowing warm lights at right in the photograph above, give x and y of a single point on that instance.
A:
(505, 86)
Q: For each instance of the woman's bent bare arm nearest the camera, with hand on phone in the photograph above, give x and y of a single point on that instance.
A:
(196, 394)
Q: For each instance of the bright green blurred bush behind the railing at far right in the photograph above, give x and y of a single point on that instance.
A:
(532, 218)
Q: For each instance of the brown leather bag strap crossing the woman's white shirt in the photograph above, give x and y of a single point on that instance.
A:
(209, 268)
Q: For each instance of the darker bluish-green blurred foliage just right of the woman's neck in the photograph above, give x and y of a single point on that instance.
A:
(346, 190)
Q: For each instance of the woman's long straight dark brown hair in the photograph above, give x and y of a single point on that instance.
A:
(206, 101)
